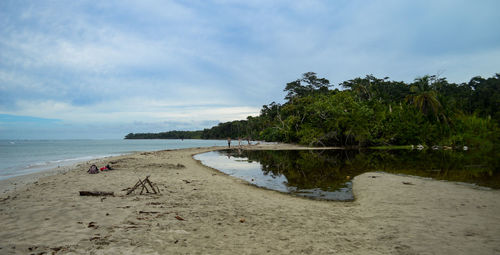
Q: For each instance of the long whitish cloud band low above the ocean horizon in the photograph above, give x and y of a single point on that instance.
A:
(133, 110)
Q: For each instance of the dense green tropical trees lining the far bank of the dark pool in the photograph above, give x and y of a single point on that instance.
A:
(376, 111)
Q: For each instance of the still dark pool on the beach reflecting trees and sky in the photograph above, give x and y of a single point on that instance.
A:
(328, 174)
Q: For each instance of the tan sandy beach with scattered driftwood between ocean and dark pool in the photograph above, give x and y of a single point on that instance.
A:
(203, 211)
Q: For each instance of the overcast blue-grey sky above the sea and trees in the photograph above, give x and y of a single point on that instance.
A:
(103, 69)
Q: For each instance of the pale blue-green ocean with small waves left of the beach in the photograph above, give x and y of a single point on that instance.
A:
(21, 157)
